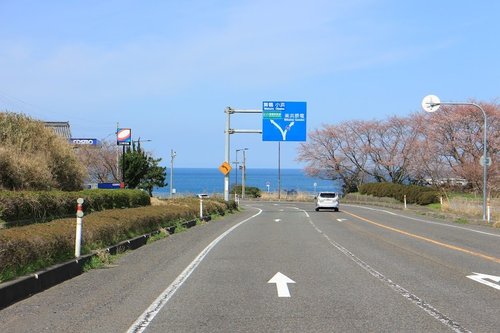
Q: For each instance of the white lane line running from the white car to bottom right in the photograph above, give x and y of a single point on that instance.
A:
(453, 325)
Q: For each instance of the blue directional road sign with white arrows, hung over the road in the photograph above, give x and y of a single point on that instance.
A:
(284, 121)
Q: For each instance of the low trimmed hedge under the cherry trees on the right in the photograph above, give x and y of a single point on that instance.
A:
(414, 194)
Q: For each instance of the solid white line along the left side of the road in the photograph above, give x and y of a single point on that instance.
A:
(147, 316)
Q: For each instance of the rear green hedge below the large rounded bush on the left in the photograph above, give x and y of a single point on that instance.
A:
(25, 207)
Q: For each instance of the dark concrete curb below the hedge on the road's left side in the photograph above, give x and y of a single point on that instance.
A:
(26, 286)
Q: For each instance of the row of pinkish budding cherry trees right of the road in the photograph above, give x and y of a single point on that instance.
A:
(438, 146)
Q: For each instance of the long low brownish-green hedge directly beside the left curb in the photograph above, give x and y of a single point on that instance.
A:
(32, 247)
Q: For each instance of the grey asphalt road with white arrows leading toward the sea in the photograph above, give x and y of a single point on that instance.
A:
(282, 267)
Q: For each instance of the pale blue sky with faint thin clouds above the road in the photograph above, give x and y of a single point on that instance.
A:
(167, 69)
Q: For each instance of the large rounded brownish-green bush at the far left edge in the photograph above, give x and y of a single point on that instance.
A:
(25, 164)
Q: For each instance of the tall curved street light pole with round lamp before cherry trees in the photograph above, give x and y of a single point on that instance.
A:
(431, 103)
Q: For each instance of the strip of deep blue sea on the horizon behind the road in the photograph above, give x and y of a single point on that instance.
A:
(189, 181)
